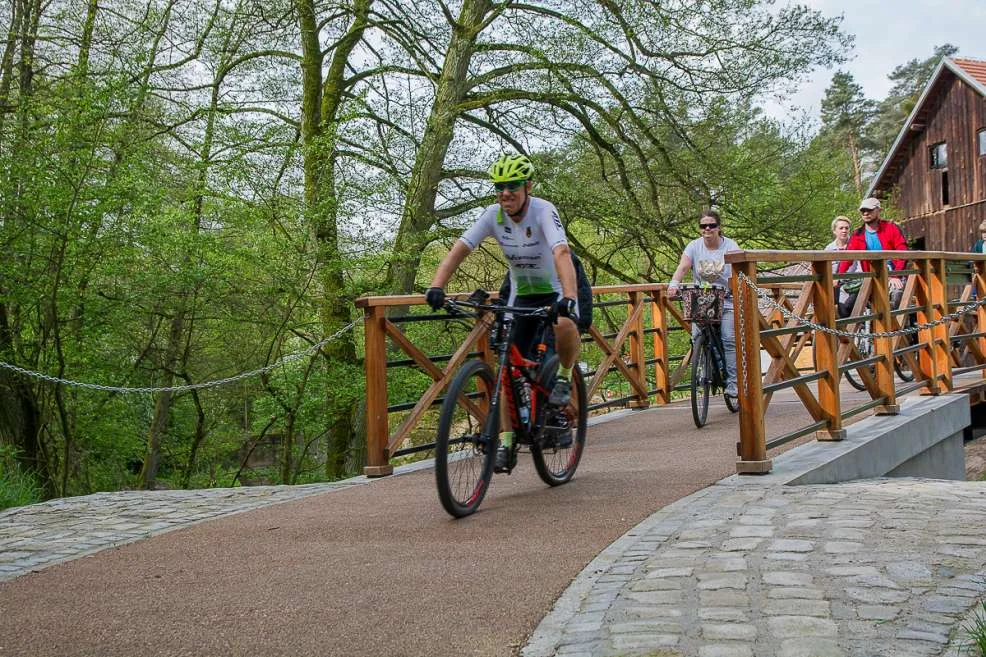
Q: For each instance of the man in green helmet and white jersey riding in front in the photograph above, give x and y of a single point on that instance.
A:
(529, 231)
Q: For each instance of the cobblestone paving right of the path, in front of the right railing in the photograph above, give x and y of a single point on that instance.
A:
(871, 569)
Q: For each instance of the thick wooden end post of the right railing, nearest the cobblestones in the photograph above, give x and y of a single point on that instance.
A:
(752, 448)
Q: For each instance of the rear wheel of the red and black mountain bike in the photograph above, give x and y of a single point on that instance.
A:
(555, 461)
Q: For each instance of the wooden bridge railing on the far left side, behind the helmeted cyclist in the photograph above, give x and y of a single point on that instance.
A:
(639, 340)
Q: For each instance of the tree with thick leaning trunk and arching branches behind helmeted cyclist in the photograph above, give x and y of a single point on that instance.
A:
(513, 75)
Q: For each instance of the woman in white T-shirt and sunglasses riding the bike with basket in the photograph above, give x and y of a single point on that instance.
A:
(705, 257)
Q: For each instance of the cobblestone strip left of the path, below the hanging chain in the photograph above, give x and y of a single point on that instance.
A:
(39, 535)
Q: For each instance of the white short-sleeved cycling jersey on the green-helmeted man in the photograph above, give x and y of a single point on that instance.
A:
(527, 245)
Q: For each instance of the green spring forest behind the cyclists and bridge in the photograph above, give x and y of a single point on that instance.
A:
(196, 191)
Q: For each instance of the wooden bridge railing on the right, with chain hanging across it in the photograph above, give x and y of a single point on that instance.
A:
(945, 349)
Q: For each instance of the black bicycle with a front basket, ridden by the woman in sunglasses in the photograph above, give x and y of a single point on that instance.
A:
(703, 306)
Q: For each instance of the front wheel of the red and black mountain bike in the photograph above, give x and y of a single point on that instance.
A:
(463, 455)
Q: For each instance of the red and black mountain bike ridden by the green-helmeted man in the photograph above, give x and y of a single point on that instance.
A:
(469, 424)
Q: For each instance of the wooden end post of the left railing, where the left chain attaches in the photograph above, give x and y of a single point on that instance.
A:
(375, 365)
